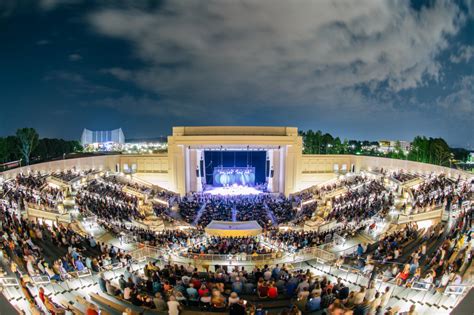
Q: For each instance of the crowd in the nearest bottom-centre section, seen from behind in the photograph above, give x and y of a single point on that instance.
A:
(239, 291)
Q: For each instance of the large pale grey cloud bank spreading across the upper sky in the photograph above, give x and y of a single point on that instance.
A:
(276, 53)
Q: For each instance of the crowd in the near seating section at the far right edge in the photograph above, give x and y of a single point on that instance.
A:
(431, 258)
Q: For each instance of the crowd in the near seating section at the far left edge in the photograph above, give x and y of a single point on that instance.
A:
(55, 251)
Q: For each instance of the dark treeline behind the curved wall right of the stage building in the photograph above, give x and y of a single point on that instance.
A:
(427, 150)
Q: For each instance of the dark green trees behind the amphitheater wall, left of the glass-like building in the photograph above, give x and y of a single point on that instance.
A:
(27, 146)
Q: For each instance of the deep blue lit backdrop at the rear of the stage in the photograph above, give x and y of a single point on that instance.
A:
(214, 160)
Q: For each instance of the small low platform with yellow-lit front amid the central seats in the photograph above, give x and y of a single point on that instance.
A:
(233, 229)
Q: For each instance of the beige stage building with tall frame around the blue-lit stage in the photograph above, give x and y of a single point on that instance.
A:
(194, 151)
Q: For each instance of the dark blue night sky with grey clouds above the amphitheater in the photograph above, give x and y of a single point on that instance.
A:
(365, 69)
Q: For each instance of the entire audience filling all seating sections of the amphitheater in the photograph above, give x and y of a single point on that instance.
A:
(435, 256)
